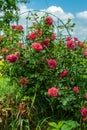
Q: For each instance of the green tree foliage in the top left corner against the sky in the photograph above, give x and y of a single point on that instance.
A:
(9, 11)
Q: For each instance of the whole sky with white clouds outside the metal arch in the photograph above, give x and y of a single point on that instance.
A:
(64, 9)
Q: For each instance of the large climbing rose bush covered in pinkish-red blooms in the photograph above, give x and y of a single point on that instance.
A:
(35, 66)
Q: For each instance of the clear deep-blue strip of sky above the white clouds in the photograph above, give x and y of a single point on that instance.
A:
(72, 6)
